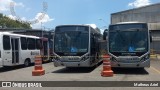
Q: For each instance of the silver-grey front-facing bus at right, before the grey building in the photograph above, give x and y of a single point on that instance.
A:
(129, 45)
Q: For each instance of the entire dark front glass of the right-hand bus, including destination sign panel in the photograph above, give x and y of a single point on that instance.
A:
(128, 38)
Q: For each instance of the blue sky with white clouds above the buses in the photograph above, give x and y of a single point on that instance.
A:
(47, 14)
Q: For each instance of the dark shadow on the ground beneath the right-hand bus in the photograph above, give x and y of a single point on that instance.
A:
(130, 71)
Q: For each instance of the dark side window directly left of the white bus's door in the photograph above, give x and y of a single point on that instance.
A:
(6, 42)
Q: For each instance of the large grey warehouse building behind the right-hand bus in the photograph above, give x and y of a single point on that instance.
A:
(149, 14)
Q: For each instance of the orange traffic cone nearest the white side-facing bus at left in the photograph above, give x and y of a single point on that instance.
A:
(38, 69)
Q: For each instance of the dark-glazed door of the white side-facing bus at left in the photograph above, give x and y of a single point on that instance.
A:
(15, 50)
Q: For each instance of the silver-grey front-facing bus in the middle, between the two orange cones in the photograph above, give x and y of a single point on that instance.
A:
(77, 46)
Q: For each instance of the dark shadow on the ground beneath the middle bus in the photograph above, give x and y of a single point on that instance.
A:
(77, 69)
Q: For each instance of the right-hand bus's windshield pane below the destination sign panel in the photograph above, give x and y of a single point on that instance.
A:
(128, 41)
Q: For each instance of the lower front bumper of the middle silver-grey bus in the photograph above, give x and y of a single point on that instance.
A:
(85, 63)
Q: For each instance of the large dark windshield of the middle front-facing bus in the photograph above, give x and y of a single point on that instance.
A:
(71, 41)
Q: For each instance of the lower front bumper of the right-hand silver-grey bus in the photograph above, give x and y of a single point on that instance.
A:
(145, 63)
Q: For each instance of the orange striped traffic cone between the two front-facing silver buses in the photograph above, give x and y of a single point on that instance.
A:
(107, 72)
